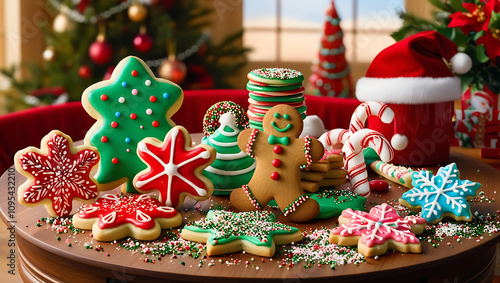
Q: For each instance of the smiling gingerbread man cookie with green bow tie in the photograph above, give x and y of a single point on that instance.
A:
(279, 155)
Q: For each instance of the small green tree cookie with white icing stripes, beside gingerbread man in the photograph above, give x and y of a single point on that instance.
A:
(232, 168)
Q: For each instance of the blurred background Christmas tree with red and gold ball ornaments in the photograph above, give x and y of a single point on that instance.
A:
(88, 38)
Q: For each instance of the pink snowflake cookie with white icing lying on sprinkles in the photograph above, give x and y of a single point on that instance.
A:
(377, 231)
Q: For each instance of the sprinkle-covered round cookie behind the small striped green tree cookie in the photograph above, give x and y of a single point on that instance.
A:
(211, 120)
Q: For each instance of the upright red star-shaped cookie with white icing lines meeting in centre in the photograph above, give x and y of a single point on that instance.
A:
(175, 168)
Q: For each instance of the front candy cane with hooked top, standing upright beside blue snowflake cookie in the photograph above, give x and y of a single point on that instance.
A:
(355, 161)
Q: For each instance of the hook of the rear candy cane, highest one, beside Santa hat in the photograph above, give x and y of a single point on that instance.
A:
(367, 109)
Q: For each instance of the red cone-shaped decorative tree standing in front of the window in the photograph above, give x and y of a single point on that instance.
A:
(331, 74)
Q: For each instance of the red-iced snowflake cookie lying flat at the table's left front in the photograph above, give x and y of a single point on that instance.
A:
(115, 217)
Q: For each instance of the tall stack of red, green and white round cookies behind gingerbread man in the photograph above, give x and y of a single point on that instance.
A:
(271, 86)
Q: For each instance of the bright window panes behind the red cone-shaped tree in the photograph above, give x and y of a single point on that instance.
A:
(290, 30)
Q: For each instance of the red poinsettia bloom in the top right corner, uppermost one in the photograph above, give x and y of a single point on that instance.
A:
(477, 18)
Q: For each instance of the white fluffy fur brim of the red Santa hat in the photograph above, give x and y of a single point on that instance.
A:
(408, 90)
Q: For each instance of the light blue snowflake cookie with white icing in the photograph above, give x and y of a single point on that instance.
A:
(441, 195)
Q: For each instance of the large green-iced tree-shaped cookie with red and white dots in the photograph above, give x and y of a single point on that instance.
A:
(129, 107)
